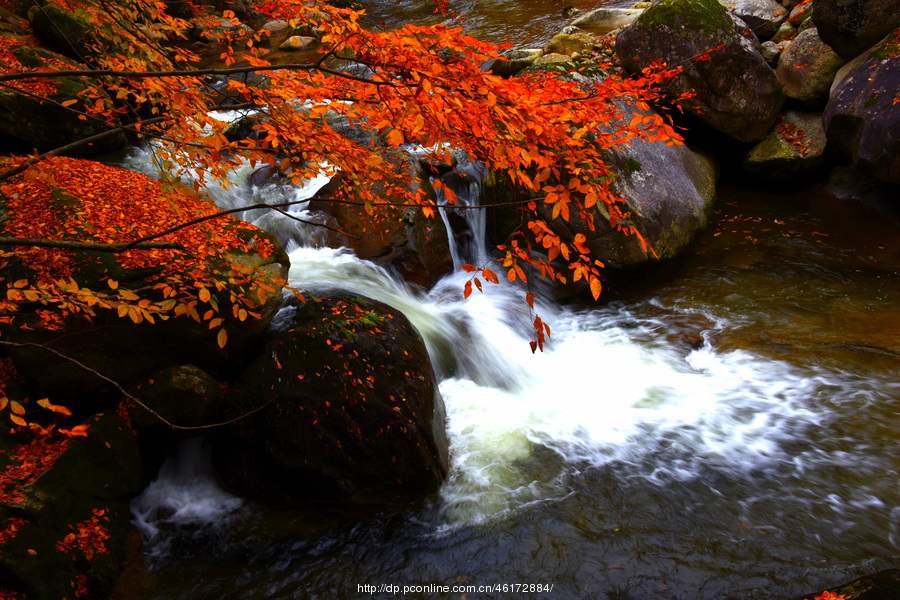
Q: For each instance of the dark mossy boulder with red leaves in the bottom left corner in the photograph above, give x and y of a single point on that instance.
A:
(94, 478)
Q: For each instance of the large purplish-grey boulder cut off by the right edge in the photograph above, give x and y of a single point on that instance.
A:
(862, 118)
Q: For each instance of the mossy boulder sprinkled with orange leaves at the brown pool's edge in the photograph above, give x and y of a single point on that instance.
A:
(795, 145)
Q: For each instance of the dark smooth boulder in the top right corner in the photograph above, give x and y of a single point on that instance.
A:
(851, 27)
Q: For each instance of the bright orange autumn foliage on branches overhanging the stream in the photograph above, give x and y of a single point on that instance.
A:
(414, 86)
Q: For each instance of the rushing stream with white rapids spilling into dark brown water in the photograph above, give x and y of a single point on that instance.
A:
(723, 428)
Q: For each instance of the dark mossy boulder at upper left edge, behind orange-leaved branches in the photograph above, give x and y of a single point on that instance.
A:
(26, 123)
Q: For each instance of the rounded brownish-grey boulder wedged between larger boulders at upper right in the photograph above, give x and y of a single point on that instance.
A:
(807, 69)
